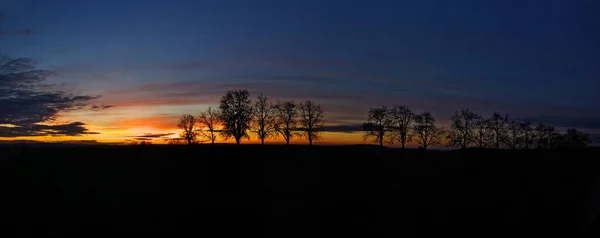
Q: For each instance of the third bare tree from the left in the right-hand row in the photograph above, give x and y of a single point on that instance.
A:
(426, 132)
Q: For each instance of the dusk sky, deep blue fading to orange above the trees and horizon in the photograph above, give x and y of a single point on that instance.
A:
(148, 62)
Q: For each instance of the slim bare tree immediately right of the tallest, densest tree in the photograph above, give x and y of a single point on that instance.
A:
(264, 119)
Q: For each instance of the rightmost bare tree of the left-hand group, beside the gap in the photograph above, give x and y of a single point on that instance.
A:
(311, 120)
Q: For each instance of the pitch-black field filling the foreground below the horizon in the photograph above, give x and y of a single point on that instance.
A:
(280, 191)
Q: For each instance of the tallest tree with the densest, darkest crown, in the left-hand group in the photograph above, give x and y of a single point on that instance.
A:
(236, 114)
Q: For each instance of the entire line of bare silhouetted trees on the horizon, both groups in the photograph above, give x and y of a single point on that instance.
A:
(238, 116)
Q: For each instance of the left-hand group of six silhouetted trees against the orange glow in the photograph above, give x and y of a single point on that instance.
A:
(238, 116)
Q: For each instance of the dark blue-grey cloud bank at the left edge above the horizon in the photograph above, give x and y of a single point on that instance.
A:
(29, 106)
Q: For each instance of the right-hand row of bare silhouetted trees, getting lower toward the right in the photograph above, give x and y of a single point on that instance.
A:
(398, 124)
